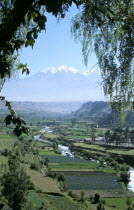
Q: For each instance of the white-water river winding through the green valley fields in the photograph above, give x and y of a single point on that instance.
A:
(66, 151)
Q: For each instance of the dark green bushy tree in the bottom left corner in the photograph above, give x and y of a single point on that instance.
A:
(15, 183)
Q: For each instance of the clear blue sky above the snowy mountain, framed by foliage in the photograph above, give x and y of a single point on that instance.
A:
(56, 47)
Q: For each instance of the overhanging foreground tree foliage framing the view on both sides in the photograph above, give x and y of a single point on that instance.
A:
(104, 26)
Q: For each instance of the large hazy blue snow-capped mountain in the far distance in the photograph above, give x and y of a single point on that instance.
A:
(56, 84)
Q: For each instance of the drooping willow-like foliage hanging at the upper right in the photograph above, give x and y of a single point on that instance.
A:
(106, 27)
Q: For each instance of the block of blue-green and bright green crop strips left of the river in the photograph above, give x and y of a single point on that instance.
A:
(82, 174)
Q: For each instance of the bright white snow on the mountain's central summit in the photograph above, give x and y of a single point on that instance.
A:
(62, 68)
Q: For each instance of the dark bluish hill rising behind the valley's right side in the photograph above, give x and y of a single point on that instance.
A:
(102, 112)
